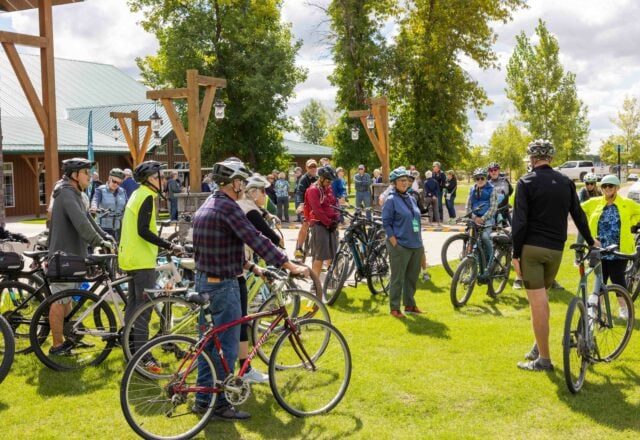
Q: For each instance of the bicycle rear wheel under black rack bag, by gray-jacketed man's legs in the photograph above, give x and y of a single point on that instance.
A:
(89, 331)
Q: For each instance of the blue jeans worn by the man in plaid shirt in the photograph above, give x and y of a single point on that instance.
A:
(224, 305)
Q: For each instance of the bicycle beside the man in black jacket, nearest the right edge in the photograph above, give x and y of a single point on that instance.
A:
(596, 328)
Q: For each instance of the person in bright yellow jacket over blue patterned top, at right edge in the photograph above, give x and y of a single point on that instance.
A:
(610, 219)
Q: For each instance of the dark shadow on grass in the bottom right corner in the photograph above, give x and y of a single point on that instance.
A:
(605, 403)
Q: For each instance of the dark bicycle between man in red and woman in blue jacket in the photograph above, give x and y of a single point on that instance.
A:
(362, 249)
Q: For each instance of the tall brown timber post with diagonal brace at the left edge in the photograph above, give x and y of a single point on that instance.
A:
(44, 109)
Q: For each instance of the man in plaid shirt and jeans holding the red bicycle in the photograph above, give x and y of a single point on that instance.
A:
(220, 231)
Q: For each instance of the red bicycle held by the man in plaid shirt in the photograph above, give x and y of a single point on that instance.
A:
(309, 373)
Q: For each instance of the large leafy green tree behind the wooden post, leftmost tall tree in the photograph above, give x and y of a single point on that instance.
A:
(243, 41)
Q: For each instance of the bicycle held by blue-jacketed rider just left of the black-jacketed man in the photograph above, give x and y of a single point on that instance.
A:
(473, 267)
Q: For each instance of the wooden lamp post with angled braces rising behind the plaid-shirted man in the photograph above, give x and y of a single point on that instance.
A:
(197, 117)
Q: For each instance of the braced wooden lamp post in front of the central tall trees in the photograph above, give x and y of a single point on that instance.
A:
(379, 138)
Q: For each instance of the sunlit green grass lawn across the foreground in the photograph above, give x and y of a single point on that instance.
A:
(446, 374)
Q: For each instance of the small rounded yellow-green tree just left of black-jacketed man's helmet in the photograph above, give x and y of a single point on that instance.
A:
(508, 146)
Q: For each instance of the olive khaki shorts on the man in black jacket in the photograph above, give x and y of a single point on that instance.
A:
(539, 266)
